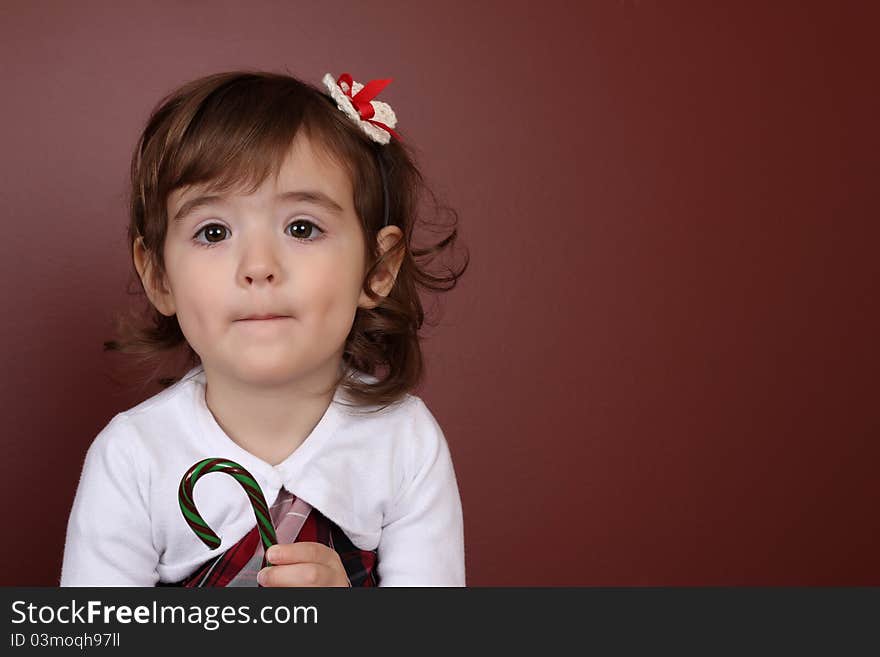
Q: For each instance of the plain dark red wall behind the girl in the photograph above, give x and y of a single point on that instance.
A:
(661, 366)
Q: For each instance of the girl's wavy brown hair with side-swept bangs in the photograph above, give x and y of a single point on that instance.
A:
(232, 130)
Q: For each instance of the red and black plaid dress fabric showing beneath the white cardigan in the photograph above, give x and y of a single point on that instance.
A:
(360, 565)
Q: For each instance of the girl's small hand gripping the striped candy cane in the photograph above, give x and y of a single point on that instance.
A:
(303, 564)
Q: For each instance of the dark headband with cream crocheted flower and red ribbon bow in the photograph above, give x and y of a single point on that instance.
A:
(374, 117)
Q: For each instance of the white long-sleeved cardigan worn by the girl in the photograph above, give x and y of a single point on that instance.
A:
(386, 479)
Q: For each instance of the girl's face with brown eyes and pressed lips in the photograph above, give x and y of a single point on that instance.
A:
(294, 249)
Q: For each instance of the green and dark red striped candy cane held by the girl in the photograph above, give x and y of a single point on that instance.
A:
(251, 487)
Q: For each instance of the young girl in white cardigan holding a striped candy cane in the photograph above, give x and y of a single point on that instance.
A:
(271, 230)
